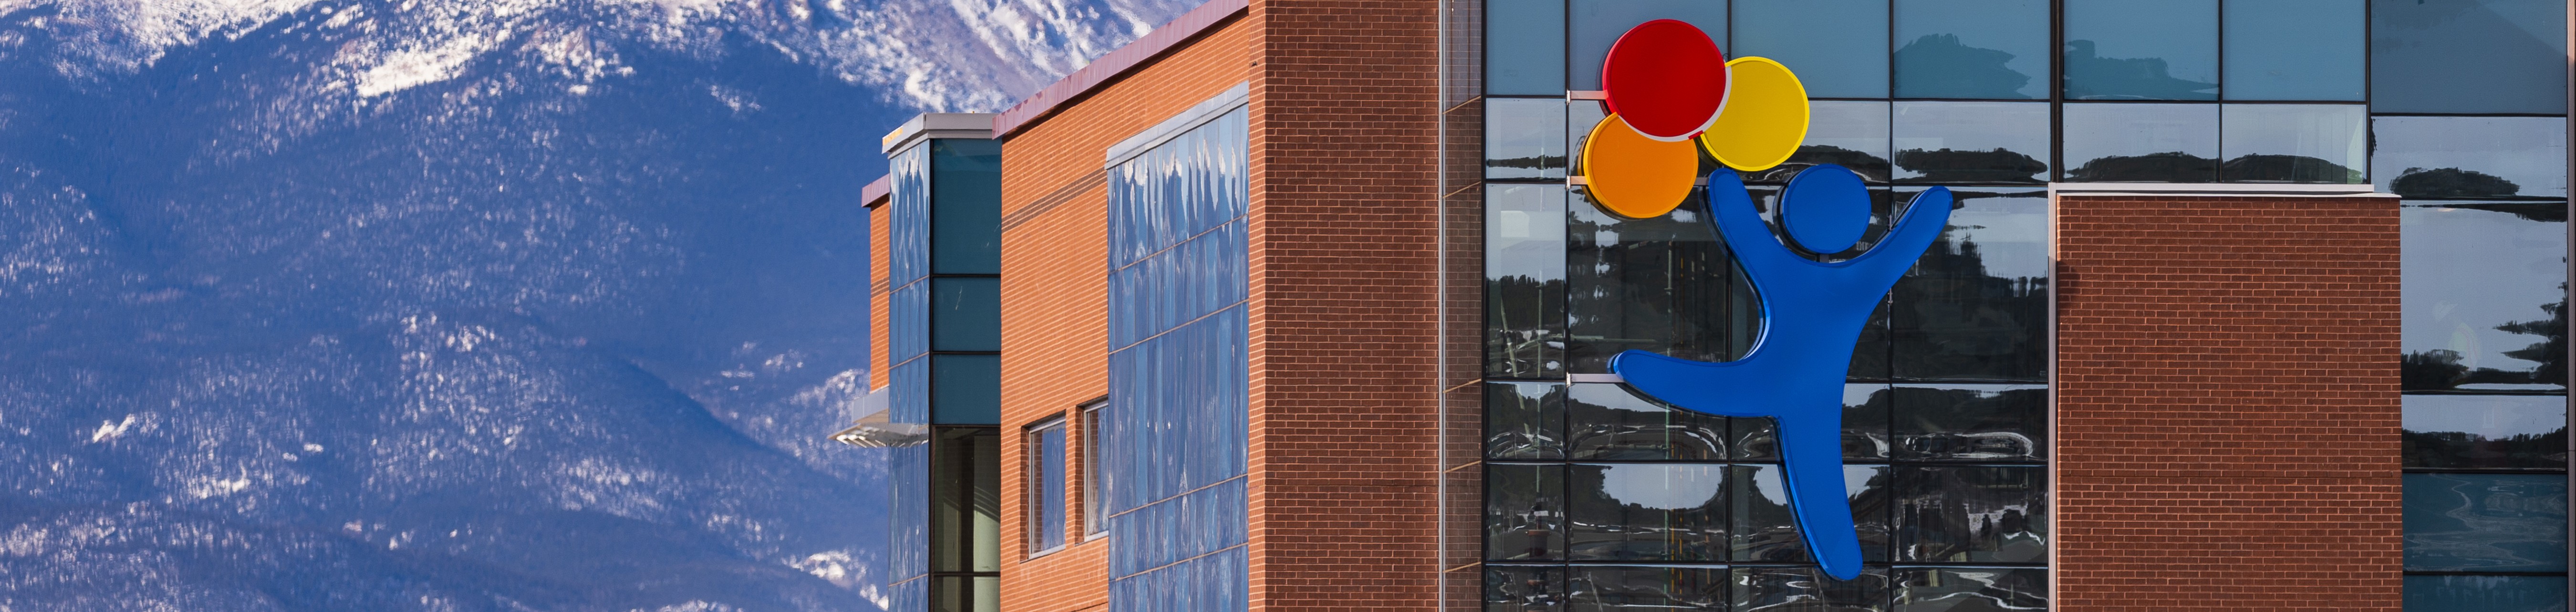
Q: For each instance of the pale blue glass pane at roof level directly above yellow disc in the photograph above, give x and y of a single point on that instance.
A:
(1838, 48)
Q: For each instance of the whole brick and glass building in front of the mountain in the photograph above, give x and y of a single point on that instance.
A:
(1312, 305)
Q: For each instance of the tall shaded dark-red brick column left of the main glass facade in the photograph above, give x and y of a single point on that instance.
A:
(1343, 305)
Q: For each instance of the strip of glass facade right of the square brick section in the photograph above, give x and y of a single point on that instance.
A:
(2469, 127)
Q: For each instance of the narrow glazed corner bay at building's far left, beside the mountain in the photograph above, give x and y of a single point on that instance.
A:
(944, 354)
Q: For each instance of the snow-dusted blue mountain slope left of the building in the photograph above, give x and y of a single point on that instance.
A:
(437, 305)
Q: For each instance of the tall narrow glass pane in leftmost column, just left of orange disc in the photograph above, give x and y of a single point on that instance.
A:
(1526, 282)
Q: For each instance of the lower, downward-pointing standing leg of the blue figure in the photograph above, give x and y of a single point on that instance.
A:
(1812, 449)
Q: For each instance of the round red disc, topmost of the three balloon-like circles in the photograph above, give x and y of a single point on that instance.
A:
(1668, 78)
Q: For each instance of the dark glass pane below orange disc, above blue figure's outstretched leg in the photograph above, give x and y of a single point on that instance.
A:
(1653, 284)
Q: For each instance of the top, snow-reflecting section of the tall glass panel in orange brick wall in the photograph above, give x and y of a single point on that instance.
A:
(1181, 189)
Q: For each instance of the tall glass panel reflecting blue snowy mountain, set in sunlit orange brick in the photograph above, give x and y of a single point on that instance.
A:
(1179, 413)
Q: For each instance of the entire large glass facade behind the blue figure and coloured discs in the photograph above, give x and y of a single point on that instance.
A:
(1604, 500)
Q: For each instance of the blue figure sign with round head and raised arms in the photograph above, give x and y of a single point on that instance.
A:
(1812, 312)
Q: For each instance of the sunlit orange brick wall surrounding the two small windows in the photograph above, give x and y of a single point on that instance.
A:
(1055, 289)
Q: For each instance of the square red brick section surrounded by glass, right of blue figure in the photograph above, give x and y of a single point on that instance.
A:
(2227, 405)
